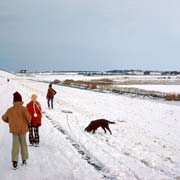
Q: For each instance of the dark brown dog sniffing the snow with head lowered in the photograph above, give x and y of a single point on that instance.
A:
(99, 123)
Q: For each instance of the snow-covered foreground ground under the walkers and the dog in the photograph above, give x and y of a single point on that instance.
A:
(144, 144)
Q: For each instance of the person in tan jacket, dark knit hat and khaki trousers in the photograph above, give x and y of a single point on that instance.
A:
(18, 118)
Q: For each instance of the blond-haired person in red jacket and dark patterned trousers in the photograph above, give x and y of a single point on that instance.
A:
(34, 109)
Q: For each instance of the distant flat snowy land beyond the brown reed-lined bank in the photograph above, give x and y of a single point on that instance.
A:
(165, 84)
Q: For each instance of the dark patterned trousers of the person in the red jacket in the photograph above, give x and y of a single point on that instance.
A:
(33, 134)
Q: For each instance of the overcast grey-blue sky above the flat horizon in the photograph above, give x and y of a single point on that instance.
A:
(89, 34)
